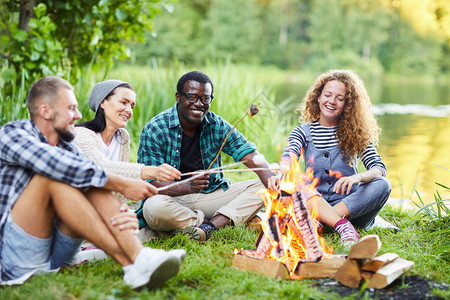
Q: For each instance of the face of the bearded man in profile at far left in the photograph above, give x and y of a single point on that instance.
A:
(65, 114)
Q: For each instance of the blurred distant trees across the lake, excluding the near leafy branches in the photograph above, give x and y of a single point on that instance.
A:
(378, 36)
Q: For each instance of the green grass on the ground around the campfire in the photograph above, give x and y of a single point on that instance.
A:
(207, 272)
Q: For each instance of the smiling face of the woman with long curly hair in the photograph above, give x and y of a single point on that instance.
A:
(331, 102)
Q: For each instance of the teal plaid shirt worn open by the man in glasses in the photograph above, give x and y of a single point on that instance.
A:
(161, 137)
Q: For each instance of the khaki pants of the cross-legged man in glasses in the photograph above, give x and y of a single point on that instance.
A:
(239, 203)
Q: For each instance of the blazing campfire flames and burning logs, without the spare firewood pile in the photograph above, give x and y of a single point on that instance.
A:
(290, 233)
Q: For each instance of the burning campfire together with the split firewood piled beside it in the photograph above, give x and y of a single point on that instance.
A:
(290, 246)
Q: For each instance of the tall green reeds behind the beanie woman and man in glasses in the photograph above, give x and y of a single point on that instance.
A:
(235, 89)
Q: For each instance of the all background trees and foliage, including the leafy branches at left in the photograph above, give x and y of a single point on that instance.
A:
(51, 37)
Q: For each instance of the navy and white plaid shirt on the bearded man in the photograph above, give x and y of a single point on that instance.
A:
(24, 152)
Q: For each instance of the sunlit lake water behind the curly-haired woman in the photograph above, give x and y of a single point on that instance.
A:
(415, 141)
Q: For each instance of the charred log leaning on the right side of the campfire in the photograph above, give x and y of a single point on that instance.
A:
(307, 229)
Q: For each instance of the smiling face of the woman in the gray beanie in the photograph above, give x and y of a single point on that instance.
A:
(118, 107)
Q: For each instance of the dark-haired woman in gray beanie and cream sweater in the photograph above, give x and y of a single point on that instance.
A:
(105, 140)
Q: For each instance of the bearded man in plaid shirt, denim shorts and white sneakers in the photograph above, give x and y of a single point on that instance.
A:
(51, 198)
